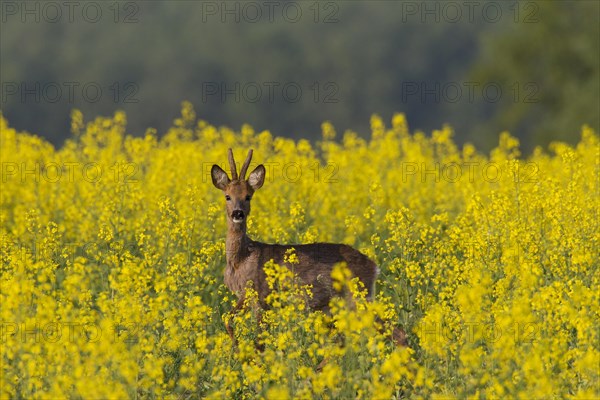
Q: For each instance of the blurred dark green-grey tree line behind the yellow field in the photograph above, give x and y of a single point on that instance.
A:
(528, 67)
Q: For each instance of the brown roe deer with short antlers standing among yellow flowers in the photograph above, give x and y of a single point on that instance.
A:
(246, 257)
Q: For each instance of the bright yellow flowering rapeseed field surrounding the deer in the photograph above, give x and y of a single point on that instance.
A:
(113, 251)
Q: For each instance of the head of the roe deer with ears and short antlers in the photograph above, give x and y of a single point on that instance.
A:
(238, 190)
